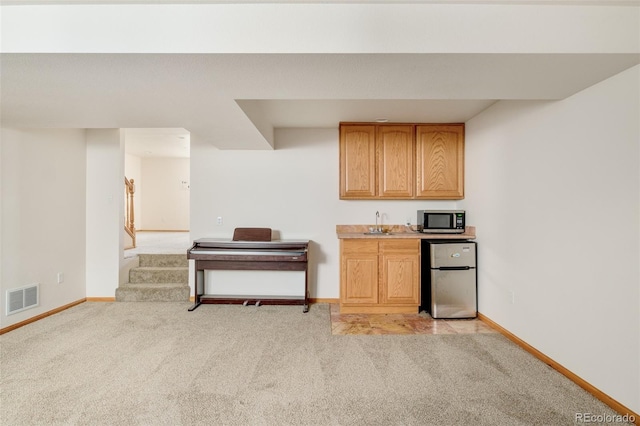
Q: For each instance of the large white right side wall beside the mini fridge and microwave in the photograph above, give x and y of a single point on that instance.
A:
(554, 189)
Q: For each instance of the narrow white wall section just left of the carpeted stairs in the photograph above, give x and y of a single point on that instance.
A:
(104, 210)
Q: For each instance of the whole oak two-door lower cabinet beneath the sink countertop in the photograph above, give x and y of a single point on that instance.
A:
(379, 275)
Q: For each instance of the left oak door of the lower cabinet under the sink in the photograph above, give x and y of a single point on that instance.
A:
(359, 272)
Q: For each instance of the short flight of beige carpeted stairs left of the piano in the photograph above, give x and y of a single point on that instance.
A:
(158, 278)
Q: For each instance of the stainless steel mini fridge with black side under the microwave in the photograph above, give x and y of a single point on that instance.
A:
(450, 279)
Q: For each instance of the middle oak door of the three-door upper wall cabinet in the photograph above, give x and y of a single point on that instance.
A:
(396, 155)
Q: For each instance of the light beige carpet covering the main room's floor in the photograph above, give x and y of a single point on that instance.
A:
(157, 364)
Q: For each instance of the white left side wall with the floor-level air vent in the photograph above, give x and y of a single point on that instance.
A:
(43, 216)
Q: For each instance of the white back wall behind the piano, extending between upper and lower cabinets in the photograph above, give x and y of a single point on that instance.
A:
(293, 190)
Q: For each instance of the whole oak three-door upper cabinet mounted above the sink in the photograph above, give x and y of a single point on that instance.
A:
(401, 161)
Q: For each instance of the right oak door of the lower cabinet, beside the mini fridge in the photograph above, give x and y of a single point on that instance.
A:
(400, 272)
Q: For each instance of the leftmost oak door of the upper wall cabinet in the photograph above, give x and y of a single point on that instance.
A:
(357, 161)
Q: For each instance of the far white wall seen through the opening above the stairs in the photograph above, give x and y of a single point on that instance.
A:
(163, 195)
